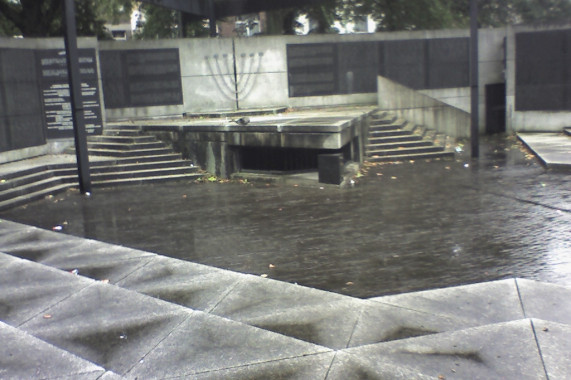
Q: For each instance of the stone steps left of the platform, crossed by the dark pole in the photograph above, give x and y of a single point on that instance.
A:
(124, 156)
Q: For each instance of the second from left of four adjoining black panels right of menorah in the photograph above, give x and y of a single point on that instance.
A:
(357, 67)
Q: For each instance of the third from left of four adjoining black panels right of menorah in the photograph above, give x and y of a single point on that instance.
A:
(405, 62)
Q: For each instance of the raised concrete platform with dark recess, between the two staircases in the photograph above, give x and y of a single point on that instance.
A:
(224, 146)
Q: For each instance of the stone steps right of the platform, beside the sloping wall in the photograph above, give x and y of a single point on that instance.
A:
(394, 139)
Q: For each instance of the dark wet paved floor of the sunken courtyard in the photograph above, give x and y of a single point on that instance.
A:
(402, 227)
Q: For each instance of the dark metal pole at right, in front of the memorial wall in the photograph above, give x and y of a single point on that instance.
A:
(474, 108)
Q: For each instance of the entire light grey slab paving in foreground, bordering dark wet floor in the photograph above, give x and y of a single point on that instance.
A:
(133, 314)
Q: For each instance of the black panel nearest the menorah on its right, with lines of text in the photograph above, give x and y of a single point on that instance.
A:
(312, 69)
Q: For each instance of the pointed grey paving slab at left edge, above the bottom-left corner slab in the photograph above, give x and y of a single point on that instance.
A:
(27, 289)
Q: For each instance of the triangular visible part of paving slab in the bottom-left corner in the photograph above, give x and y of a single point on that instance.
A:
(26, 357)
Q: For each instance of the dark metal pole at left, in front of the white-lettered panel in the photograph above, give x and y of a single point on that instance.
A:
(72, 57)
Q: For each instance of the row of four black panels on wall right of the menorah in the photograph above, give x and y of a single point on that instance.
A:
(352, 67)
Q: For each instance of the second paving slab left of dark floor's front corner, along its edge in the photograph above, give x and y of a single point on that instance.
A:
(187, 284)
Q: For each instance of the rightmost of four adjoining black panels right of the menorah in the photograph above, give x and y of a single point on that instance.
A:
(448, 63)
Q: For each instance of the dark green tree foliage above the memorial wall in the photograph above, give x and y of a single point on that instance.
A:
(43, 18)
